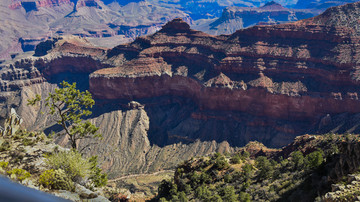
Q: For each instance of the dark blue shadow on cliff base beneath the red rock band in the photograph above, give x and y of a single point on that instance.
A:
(175, 119)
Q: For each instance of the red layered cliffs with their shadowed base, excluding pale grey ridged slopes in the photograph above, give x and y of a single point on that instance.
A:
(263, 80)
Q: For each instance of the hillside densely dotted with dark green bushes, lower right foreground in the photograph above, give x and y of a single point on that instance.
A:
(264, 178)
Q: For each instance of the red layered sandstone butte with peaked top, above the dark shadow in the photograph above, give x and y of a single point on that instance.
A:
(296, 71)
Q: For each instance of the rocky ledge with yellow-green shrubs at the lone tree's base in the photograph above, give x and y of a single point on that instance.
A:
(21, 150)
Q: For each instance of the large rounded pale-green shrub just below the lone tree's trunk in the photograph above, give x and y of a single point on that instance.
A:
(71, 162)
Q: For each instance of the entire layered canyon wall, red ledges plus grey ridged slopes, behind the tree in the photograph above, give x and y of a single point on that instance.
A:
(200, 93)
